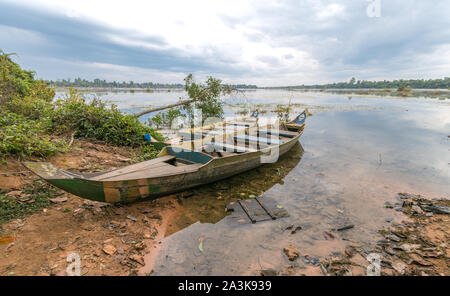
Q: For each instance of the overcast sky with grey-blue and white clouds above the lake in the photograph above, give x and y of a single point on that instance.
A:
(268, 43)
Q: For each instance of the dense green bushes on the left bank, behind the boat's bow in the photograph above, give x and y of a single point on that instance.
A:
(30, 118)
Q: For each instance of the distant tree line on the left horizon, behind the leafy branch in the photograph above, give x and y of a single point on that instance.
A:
(78, 82)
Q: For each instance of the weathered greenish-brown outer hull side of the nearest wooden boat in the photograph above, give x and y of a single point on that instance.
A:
(125, 191)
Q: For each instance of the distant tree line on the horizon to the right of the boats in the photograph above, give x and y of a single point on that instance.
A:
(412, 83)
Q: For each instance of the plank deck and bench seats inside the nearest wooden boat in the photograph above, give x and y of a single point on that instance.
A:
(219, 141)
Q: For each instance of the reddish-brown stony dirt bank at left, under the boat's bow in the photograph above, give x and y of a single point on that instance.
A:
(111, 240)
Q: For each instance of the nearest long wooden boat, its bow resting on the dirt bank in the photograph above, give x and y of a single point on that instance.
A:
(179, 167)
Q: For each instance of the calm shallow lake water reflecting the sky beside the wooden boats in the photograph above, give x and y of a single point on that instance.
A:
(356, 153)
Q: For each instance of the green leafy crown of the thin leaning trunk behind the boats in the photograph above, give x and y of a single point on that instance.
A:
(207, 97)
